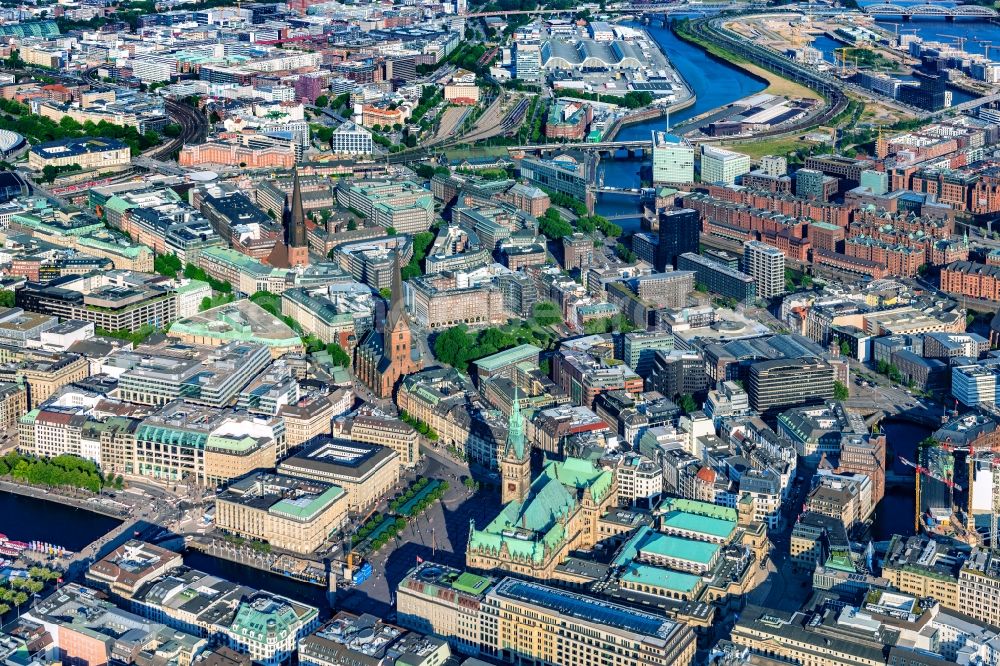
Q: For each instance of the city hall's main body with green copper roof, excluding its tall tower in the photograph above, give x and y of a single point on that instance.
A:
(559, 513)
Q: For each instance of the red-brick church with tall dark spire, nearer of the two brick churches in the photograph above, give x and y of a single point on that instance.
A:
(385, 356)
